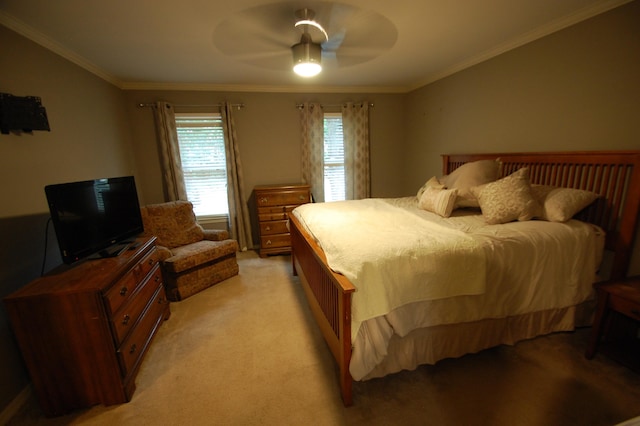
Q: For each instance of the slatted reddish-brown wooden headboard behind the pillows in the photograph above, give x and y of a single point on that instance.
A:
(615, 175)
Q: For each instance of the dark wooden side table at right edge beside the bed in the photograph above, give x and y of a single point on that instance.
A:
(615, 327)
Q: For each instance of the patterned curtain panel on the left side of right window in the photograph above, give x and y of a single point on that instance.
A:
(312, 123)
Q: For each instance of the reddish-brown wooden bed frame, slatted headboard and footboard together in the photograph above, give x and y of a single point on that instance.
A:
(615, 175)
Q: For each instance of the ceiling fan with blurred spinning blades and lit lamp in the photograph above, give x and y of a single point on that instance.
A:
(333, 35)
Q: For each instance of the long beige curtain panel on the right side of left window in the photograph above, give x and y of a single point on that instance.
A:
(239, 220)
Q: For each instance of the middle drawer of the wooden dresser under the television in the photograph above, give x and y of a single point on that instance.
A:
(126, 318)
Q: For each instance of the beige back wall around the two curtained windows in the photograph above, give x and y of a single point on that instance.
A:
(269, 136)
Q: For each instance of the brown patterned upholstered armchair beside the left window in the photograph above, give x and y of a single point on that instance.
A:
(192, 258)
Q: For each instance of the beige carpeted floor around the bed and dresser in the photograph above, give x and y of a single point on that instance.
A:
(247, 352)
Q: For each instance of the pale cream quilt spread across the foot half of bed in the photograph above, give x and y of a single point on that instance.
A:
(392, 256)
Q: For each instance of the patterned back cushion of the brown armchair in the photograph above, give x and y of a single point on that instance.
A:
(173, 223)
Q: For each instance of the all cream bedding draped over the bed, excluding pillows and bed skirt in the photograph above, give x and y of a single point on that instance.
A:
(520, 267)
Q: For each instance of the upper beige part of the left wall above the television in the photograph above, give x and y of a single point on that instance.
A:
(89, 135)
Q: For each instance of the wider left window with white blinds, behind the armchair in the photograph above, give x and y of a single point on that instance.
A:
(204, 164)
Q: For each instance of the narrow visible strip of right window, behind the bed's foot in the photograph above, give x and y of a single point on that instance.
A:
(334, 174)
